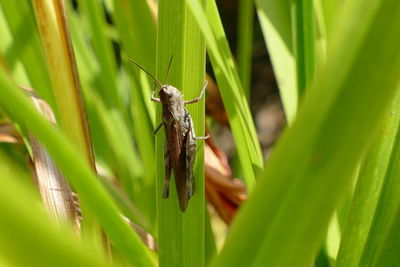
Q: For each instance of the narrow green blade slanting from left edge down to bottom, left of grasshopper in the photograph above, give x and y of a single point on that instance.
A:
(75, 168)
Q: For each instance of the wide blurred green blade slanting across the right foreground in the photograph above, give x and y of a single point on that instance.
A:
(304, 179)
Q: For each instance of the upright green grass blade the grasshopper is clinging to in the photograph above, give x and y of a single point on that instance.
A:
(181, 235)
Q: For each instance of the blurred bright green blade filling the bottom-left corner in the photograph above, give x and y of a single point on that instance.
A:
(27, 236)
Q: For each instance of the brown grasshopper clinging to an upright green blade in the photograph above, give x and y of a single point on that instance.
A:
(180, 149)
